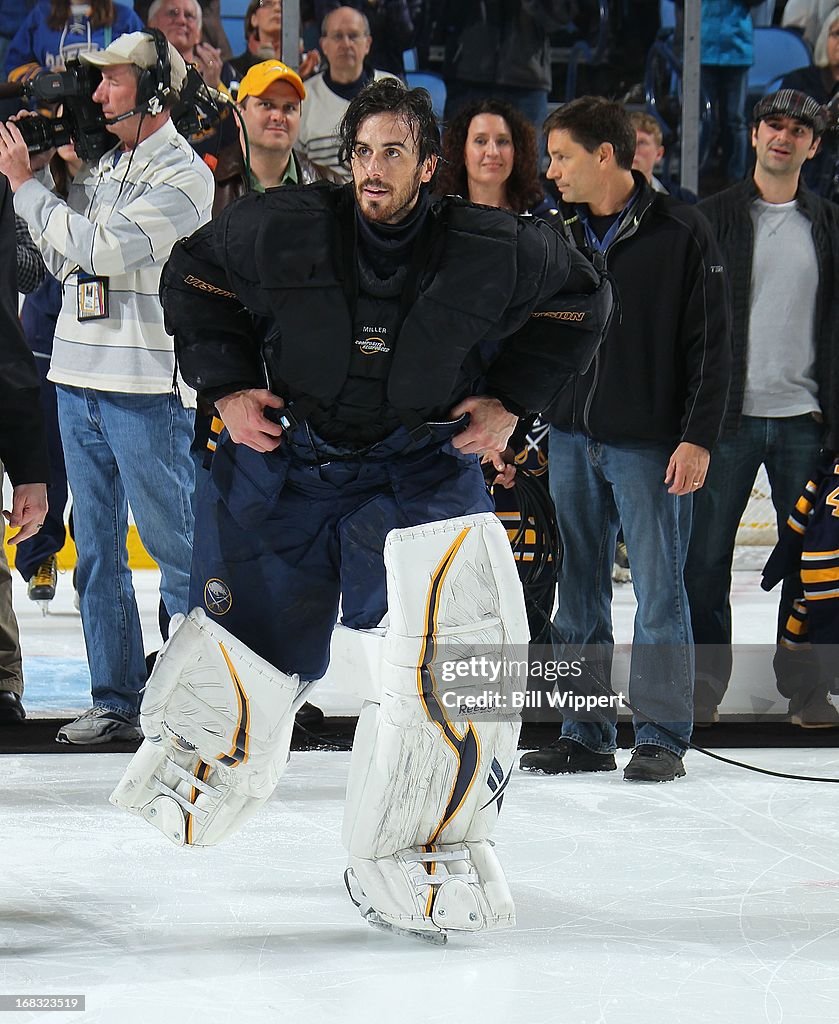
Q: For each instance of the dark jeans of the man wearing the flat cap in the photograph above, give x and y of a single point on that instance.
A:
(789, 448)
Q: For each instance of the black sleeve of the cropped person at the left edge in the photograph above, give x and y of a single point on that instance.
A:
(23, 442)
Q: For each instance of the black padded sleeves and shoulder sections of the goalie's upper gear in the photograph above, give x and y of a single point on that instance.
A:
(290, 255)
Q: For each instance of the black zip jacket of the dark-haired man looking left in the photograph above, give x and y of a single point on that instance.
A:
(662, 374)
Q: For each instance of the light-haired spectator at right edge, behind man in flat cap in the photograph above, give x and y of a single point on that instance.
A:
(821, 80)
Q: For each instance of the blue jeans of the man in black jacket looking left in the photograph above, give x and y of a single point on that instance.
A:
(598, 487)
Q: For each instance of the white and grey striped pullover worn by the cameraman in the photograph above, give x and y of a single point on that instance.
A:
(120, 222)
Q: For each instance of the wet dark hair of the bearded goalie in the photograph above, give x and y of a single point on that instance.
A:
(389, 96)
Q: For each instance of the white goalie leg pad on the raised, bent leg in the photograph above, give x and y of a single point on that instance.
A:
(219, 721)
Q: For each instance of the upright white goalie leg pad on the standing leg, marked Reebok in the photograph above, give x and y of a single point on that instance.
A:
(424, 778)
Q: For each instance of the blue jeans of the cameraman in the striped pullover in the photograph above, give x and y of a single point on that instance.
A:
(122, 449)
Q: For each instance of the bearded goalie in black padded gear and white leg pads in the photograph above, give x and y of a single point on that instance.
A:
(407, 337)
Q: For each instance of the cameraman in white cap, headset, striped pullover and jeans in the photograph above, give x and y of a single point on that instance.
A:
(125, 433)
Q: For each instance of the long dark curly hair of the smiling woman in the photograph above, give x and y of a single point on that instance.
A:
(524, 189)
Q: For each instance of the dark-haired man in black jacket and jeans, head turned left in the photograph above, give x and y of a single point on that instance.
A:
(632, 444)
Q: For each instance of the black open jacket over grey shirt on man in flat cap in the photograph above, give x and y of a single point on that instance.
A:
(730, 215)
